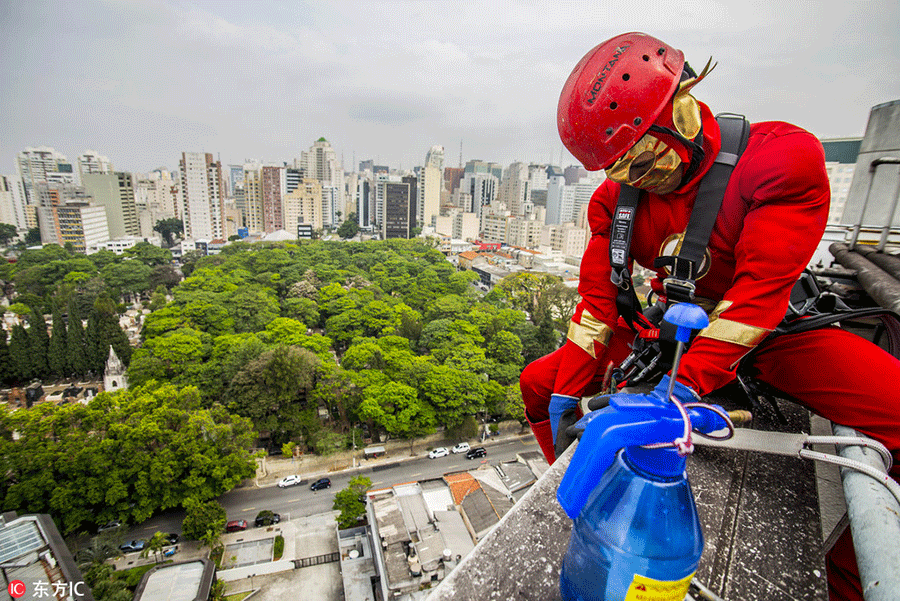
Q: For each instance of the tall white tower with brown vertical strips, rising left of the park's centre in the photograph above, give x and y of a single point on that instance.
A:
(202, 196)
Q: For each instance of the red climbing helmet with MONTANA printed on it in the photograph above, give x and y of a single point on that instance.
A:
(614, 94)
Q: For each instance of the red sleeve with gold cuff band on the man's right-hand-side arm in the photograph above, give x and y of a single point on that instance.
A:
(785, 182)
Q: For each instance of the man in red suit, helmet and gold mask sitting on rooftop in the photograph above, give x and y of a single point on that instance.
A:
(627, 108)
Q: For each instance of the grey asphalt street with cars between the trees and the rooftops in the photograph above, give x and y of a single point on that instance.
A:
(300, 501)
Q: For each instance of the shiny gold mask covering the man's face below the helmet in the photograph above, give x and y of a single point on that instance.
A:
(647, 165)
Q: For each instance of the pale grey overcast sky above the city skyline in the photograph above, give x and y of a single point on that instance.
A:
(140, 81)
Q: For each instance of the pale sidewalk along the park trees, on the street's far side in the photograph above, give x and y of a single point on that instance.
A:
(272, 469)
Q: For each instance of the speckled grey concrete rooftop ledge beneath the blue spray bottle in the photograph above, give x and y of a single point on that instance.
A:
(760, 518)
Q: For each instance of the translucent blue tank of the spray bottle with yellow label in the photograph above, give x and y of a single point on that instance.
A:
(638, 535)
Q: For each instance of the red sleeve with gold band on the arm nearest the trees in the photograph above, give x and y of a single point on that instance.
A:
(598, 297)
